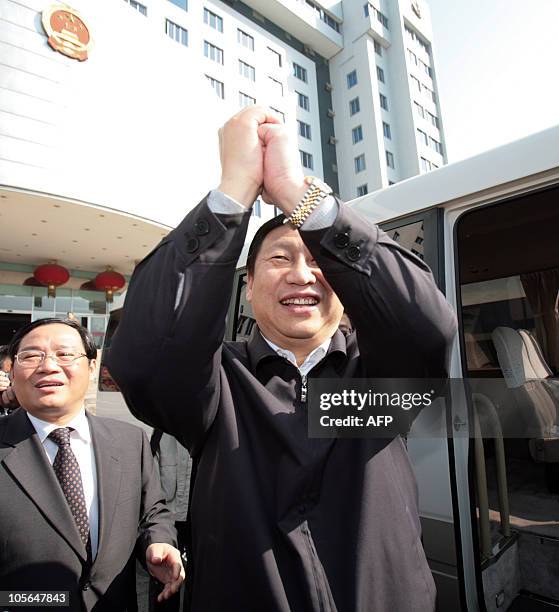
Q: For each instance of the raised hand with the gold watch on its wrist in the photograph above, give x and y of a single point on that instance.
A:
(283, 179)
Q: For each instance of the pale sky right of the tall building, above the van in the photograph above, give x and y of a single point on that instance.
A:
(497, 66)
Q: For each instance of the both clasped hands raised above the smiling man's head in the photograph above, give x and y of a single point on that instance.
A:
(259, 156)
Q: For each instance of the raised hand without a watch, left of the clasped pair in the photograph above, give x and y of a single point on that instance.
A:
(242, 154)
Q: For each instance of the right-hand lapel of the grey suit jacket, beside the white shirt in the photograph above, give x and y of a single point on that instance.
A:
(109, 474)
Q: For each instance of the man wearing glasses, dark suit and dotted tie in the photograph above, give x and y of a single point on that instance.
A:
(79, 493)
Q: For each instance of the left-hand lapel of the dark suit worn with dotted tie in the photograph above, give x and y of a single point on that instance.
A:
(29, 465)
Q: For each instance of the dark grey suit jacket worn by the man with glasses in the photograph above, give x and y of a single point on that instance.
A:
(40, 547)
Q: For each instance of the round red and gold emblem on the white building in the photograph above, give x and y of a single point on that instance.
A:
(66, 31)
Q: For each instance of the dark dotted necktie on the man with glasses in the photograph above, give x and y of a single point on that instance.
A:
(67, 471)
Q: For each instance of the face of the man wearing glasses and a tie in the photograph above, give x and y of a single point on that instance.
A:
(50, 391)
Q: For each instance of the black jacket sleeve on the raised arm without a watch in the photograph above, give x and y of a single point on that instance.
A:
(166, 353)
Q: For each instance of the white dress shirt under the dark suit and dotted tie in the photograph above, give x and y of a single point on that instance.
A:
(82, 447)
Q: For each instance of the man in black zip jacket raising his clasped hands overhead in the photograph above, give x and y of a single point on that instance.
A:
(279, 521)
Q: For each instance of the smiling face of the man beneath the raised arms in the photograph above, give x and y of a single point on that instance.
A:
(293, 304)
